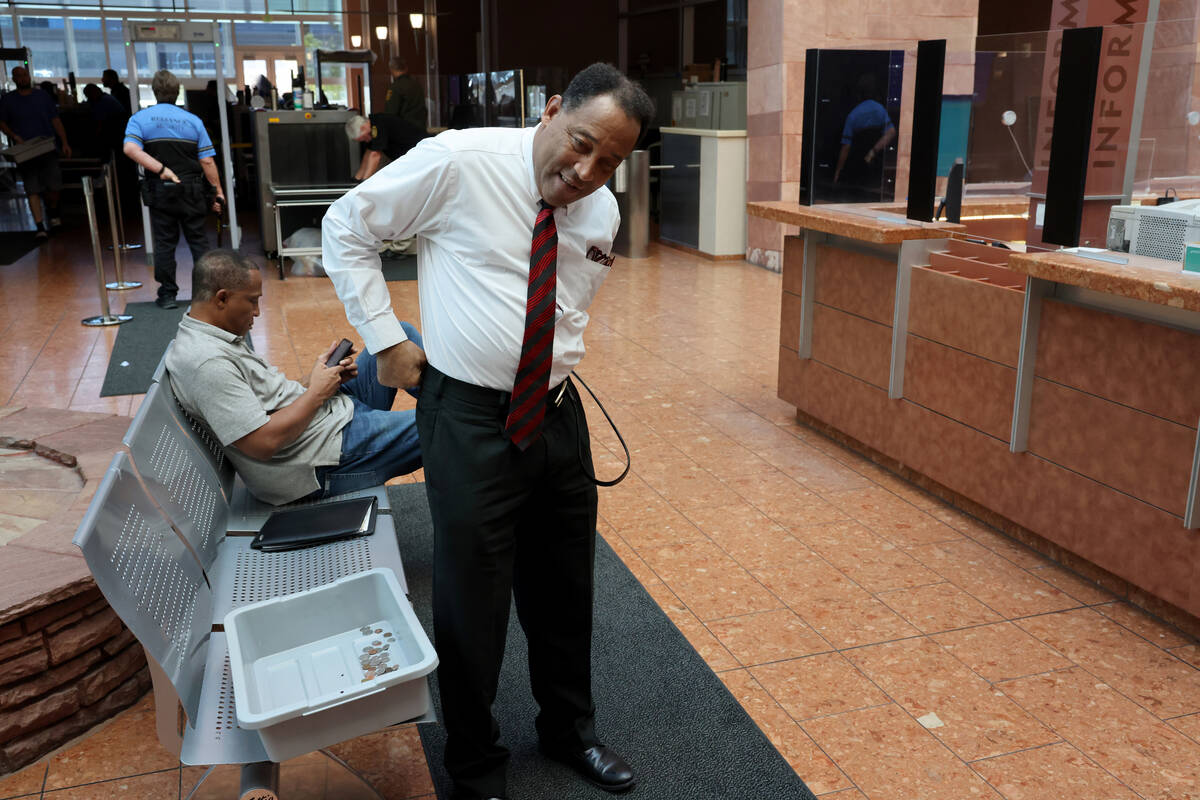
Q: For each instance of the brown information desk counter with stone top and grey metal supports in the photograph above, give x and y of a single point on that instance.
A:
(1052, 394)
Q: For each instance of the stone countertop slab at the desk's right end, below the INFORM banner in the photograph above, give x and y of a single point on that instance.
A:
(1153, 280)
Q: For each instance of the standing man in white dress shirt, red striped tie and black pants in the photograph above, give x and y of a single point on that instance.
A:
(513, 227)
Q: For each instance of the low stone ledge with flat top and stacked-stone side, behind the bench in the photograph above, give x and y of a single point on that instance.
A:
(67, 661)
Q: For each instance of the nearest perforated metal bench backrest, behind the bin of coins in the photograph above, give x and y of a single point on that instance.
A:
(149, 579)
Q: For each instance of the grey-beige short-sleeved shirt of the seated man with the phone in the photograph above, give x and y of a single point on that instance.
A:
(219, 380)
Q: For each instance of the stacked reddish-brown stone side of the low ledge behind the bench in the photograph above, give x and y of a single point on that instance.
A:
(63, 670)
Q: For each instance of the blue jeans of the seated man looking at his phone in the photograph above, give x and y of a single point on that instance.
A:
(377, 444)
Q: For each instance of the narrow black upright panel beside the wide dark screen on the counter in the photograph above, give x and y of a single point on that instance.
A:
(927, 123)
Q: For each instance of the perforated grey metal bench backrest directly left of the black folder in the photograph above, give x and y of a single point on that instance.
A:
(178, 474)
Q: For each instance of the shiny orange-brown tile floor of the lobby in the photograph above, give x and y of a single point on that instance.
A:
(890, 646)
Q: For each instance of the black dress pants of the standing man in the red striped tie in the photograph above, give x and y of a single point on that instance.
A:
(508, 525)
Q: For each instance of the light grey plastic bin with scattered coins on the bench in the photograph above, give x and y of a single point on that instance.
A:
(331, 664)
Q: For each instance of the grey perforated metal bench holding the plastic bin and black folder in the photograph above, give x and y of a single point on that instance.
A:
(166, 551)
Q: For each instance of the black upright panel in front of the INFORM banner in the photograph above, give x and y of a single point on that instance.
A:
(1072, 136)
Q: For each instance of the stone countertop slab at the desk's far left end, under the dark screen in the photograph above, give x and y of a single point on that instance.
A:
(861, 222)
